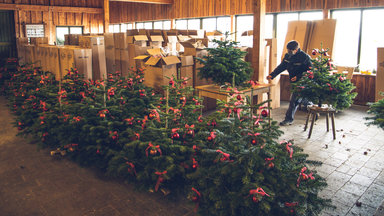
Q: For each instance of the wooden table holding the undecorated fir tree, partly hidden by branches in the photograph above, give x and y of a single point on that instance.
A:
(213, 91)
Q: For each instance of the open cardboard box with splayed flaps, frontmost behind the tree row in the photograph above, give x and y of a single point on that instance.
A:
(159, 68)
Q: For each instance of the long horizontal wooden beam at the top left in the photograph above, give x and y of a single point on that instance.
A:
(43, 8)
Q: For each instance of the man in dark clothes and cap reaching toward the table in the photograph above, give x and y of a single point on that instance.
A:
(296, 62)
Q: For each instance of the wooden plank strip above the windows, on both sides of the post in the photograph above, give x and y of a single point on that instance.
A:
(129, 12)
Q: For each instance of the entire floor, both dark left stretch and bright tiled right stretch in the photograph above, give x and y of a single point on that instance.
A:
(34, 183)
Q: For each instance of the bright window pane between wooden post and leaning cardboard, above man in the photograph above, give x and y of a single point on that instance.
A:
(281, 30)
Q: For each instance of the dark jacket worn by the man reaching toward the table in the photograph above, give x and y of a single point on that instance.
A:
(296, 65)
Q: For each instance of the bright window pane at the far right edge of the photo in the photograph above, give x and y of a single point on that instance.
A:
(372, 37)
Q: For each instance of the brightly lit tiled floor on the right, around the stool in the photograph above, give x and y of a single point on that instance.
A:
(353, 163)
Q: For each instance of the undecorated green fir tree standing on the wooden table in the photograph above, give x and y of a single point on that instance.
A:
(225, 64)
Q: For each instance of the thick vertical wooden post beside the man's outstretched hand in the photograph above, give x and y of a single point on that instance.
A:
(259, 7)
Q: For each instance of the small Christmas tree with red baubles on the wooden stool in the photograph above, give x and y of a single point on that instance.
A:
(320, 86)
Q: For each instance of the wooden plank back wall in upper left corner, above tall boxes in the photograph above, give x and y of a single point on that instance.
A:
(57, 13)
